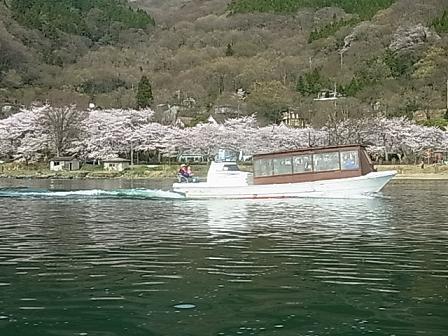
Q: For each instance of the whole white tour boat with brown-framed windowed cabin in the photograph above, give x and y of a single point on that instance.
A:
(328, 172)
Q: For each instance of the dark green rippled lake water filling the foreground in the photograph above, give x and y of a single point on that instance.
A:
(110, 263)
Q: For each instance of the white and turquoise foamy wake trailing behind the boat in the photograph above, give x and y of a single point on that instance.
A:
(91, 193)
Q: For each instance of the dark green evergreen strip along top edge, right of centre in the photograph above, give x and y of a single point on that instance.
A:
(364, 8)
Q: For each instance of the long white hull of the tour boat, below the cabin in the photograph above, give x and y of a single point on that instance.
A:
(336, 188)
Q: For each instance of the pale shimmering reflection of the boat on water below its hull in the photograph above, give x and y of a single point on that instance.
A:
(232, 216)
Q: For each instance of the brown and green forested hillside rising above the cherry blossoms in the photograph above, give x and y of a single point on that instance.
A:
(385, 57)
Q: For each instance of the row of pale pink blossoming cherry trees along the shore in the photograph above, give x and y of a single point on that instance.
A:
(37, 133)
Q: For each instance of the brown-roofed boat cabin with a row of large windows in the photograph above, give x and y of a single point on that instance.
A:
(311, 164)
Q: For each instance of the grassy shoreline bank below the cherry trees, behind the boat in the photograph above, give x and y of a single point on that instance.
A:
(14, 170)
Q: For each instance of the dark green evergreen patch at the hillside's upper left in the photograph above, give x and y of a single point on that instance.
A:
(91, 18)
